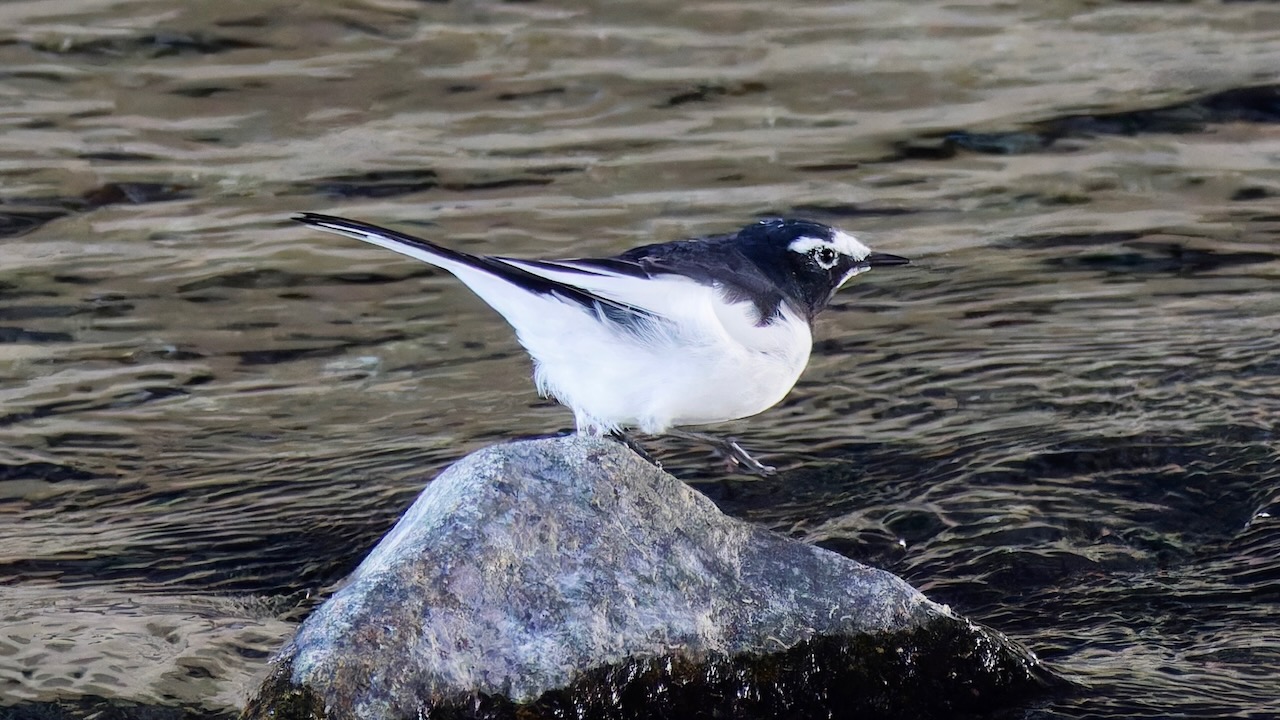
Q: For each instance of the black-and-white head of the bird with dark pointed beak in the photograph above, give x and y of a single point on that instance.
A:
(808, 261)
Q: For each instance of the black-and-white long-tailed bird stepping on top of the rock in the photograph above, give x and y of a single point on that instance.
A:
(665, 336)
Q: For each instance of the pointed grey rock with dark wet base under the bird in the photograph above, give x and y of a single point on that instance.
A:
(569, 577)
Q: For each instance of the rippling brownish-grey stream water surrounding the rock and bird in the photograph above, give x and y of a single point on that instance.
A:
(1060, 421)
